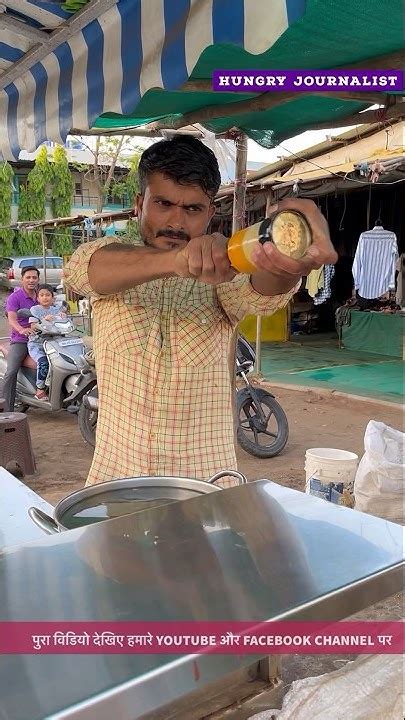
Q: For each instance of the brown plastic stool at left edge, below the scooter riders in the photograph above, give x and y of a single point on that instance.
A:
(15, 442)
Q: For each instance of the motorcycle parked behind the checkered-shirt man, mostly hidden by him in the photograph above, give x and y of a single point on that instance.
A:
(262, 423)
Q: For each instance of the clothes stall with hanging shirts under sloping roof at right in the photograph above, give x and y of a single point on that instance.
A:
(355, 177)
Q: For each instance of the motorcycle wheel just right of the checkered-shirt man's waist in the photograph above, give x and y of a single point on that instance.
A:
(250, 431)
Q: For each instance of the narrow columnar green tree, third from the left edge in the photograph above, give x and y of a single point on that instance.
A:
(61, 199)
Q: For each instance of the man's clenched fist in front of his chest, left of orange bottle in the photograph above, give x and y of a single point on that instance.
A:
(205, 258)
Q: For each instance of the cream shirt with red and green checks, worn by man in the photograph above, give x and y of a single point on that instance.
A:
(165, 392)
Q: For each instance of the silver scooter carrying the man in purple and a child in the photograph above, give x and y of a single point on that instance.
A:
(70, 375)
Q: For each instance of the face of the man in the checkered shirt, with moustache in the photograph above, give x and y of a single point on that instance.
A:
(171, 214)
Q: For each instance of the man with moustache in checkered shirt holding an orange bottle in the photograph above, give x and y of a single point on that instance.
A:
(164, 319)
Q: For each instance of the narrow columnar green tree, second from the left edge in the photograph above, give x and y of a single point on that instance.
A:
(32, 204)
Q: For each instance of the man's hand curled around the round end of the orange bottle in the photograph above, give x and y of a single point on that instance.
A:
(321, 251)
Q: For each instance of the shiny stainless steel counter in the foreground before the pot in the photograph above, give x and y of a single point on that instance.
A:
(255, 552)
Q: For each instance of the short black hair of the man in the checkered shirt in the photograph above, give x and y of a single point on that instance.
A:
(183, 159)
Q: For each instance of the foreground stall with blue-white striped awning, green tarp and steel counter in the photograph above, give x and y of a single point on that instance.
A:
(103, 70)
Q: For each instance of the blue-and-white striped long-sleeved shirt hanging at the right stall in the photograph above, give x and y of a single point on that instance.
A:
(374, 263)
